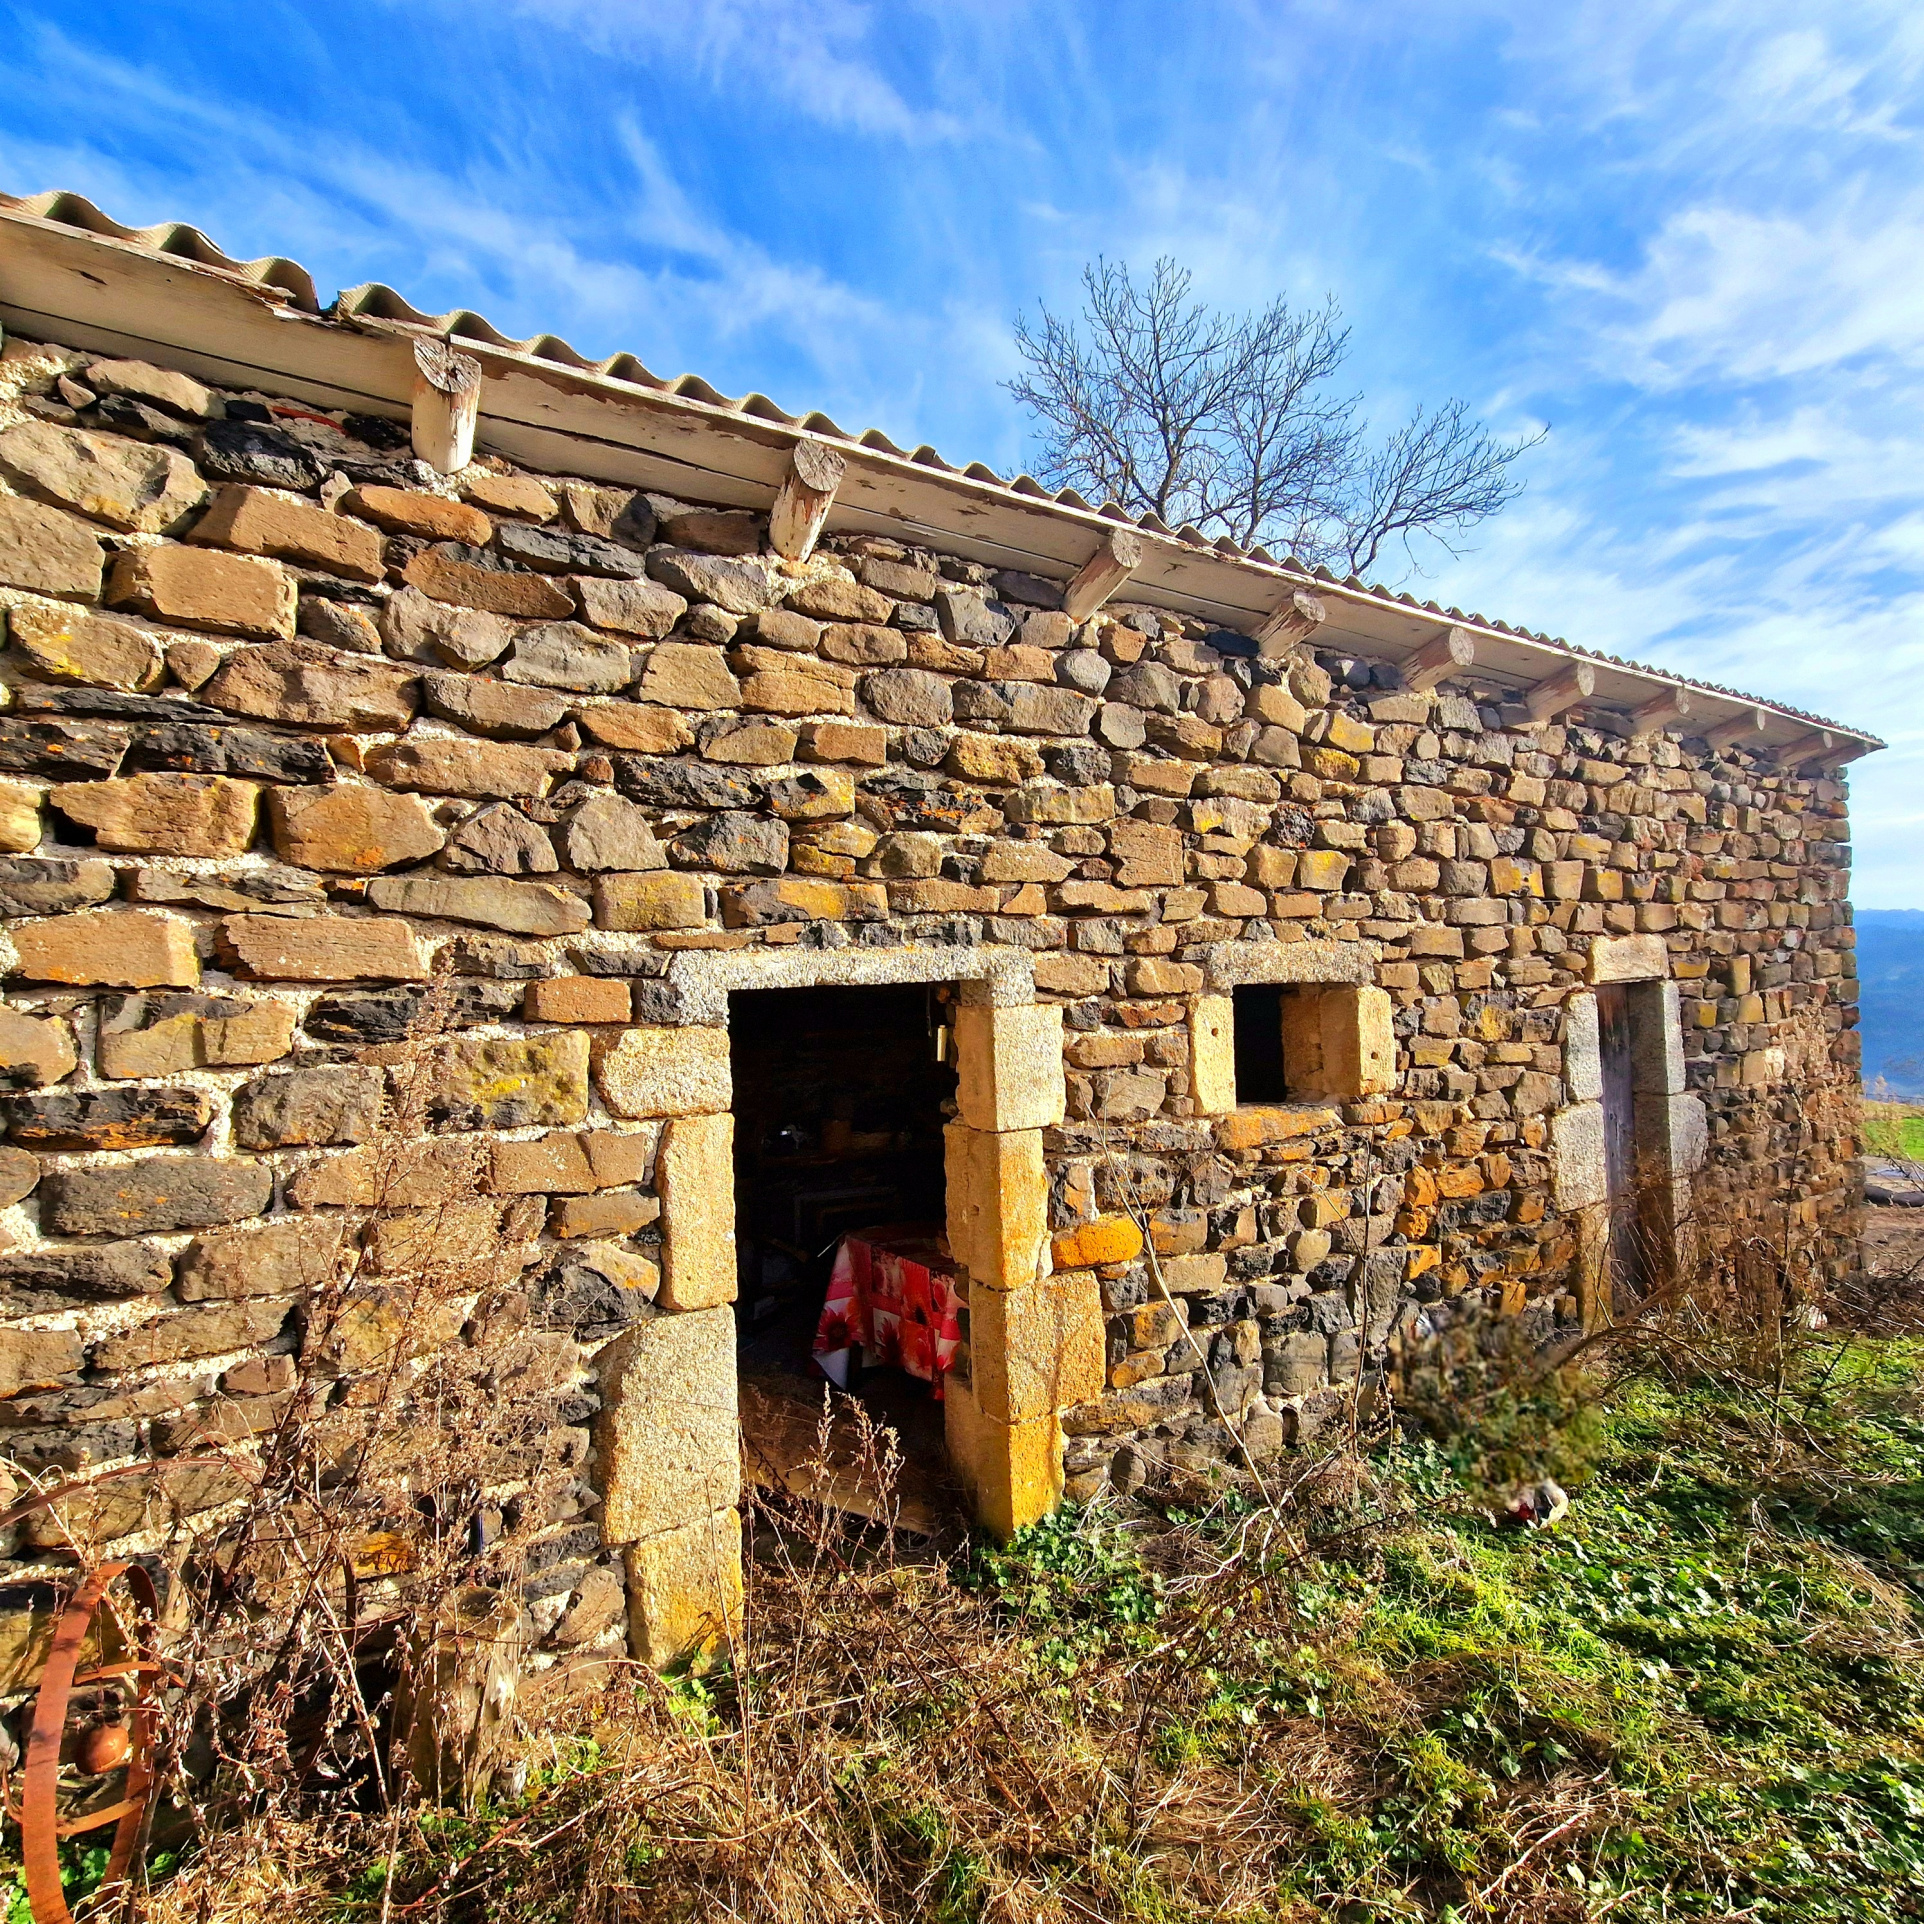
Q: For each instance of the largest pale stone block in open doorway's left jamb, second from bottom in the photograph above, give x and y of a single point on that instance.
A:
(669, 1442)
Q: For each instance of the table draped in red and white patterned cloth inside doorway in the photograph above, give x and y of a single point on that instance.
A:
(894, 1298)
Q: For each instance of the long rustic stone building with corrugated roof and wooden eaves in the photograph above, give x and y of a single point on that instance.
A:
(988, 857)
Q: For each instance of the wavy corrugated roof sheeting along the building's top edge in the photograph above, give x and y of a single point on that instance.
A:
(376, 301)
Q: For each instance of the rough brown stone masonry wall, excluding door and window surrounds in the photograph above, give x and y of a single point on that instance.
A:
(305, 744)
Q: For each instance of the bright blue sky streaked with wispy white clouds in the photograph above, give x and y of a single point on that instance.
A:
(1684, 238)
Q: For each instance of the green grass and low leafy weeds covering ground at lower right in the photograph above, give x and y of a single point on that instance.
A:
(1717, 1652)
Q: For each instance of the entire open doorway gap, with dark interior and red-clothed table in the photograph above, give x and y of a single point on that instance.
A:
(842, 1096)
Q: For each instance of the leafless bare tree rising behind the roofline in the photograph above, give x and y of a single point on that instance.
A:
(1228, 422)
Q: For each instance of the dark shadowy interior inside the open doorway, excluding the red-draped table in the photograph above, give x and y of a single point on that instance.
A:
(840, 1109)
